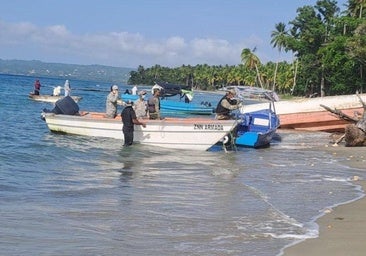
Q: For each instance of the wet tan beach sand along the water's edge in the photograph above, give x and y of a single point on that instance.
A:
(342, 231)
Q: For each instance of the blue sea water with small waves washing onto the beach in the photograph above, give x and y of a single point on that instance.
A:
(74, 195)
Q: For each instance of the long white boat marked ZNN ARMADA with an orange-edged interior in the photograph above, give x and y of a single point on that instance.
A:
(178, 133)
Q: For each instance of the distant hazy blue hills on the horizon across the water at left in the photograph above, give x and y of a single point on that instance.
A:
(36, 68)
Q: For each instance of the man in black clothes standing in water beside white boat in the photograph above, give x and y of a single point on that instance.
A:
(129, 120)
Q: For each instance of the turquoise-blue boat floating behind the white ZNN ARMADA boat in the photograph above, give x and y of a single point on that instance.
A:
(174, 106)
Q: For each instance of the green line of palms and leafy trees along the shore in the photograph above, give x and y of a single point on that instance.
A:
(328, 48)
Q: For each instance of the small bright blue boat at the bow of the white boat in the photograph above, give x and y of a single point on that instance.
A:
(257, 128)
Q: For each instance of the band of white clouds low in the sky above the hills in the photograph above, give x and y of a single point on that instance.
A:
(57, 44)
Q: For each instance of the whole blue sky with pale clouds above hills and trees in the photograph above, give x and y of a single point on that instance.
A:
(143, 32)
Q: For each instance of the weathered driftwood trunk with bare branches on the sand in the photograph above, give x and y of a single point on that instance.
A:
(355, 133)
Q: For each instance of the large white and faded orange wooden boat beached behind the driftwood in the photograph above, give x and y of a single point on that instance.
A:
(308, 114)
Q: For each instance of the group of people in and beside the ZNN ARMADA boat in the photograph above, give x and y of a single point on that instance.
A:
(134, 112)
